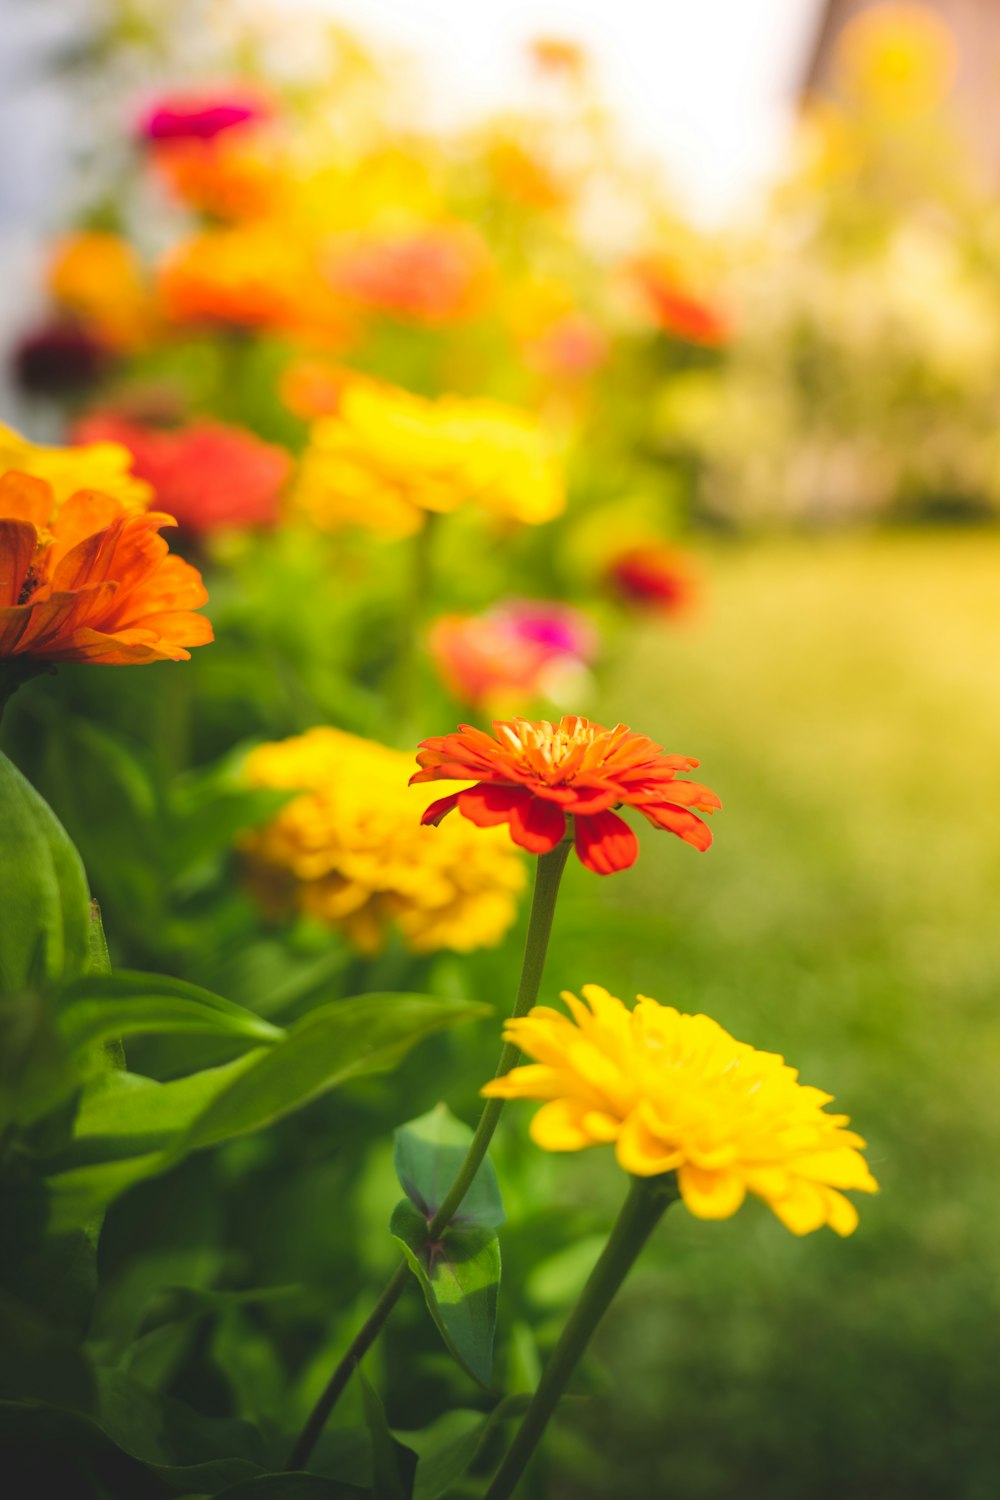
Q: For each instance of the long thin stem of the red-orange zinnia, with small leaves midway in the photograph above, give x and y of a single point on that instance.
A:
(548, 874)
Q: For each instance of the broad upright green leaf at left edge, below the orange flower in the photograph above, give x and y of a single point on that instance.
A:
(44, 898)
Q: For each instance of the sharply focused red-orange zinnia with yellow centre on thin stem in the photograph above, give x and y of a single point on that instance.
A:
(531, 775)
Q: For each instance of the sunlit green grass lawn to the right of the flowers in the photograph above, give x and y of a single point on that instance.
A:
(843, 698)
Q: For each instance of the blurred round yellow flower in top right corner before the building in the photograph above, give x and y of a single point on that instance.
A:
(899, 56)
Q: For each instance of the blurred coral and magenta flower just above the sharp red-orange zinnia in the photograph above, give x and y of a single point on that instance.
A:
(518, 652)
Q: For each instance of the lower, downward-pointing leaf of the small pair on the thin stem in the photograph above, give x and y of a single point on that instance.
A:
(460, 1274)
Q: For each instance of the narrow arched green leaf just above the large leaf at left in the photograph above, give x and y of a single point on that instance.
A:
(103, 1007)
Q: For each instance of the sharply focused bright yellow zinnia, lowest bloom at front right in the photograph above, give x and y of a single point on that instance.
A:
(678, 1094)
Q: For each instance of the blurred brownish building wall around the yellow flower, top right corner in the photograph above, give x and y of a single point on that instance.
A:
(975, 25)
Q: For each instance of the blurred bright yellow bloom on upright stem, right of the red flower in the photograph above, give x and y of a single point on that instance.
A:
(388, 458)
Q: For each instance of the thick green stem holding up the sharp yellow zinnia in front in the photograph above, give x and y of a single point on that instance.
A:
(641, 1213)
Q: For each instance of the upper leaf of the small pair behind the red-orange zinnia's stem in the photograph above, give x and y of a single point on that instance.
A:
(430, 1154)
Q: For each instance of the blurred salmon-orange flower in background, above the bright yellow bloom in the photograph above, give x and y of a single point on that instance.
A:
(436, 275)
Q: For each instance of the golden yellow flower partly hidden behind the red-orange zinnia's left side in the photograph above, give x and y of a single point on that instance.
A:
(353, 854)
